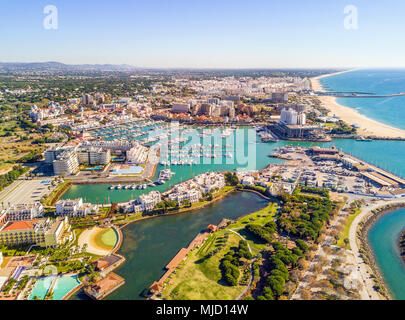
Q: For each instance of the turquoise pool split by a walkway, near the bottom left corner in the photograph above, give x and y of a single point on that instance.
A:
(63, 285)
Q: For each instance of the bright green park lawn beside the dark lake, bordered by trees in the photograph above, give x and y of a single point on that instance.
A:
(199, 277)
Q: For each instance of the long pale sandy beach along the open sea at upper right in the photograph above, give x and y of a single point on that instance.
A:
(368, 127)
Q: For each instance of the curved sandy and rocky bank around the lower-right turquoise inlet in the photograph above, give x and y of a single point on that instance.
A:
(361, 248)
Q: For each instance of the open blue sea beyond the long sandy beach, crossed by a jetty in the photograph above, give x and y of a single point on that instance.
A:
(390, 111)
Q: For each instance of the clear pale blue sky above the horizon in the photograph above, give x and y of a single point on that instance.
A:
(206, 33)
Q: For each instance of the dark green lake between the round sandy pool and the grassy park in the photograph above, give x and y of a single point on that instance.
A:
(150, 245)
